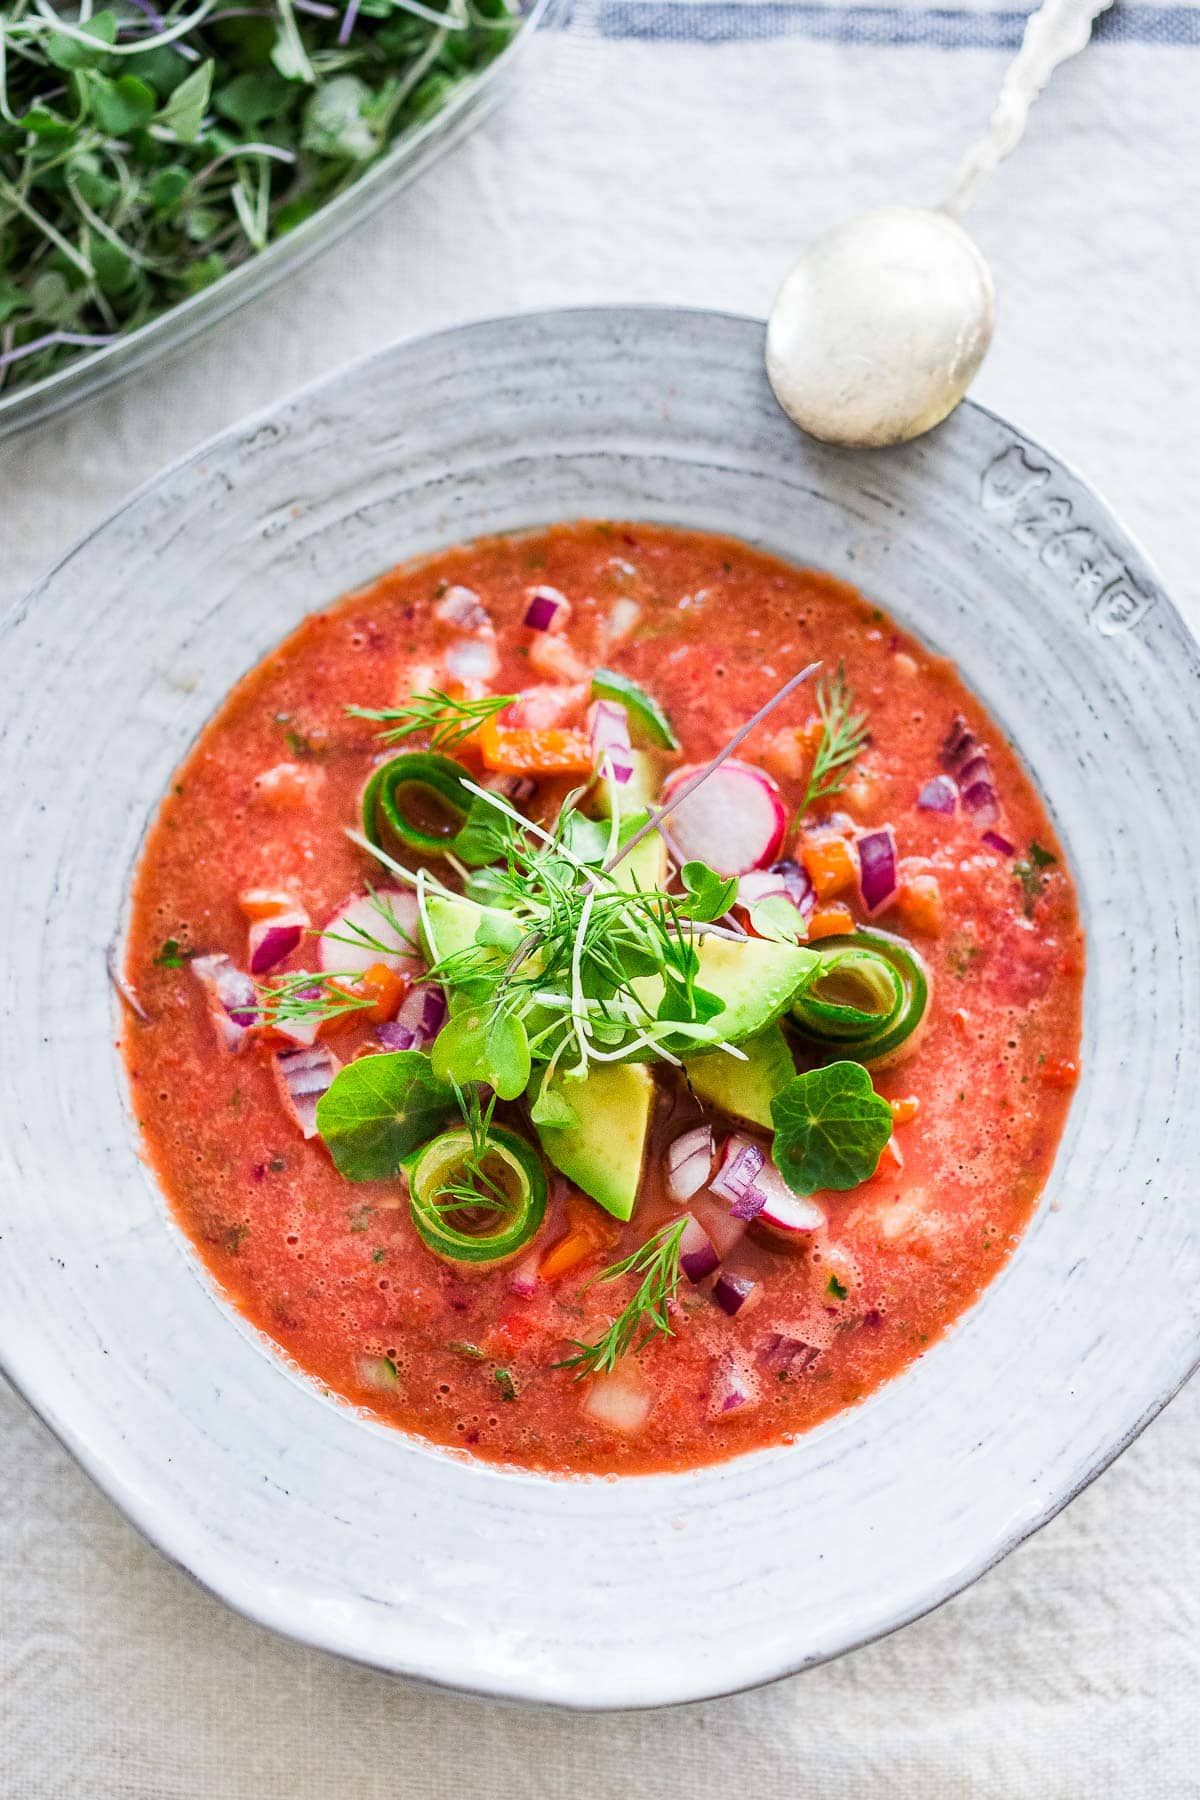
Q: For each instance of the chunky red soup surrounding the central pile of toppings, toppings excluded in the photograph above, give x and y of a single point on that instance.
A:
(336, 1272)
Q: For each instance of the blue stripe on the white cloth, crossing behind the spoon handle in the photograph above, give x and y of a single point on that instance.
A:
(944, 28)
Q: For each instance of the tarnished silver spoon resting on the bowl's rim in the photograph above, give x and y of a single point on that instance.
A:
(879, 330)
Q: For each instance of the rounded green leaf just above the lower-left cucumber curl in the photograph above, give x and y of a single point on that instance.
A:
(381, 1110)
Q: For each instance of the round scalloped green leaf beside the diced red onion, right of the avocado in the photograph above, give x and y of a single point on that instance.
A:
(830, 1128)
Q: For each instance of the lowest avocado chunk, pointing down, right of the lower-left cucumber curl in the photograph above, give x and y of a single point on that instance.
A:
(604, 1151)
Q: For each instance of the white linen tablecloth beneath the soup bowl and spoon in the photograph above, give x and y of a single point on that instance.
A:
(677, 150)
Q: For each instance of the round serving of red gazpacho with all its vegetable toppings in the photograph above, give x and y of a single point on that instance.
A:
(604, 1000)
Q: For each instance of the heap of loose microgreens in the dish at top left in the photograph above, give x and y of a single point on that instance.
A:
(145, 154)
